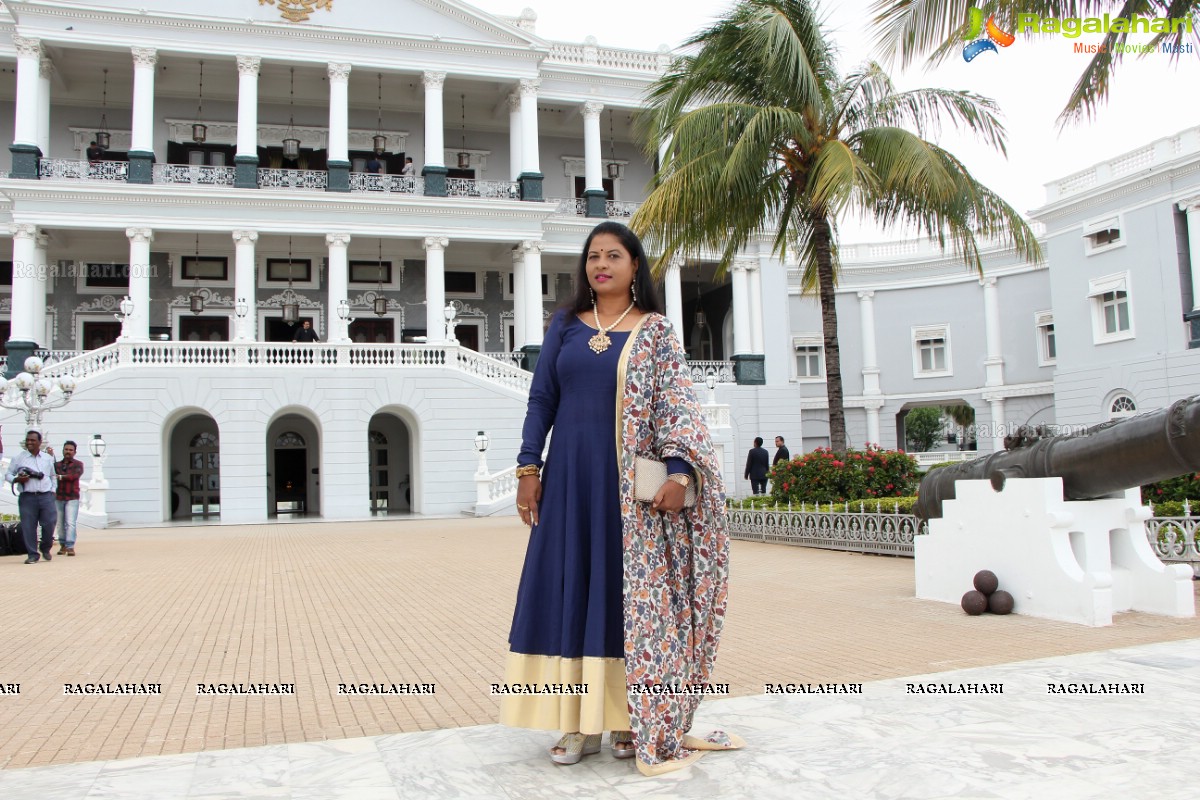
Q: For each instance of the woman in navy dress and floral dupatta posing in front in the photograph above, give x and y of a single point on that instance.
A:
(623, 597)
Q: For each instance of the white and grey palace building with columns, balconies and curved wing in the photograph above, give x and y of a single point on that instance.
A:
(189, 184)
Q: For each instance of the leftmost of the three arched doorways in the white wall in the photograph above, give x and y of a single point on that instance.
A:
(195, 465)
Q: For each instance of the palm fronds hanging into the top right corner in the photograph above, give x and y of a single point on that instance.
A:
(908, 31)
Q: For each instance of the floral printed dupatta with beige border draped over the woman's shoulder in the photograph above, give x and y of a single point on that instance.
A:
(676, 566)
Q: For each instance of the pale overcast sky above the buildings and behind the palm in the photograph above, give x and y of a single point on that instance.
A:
(1150, 99)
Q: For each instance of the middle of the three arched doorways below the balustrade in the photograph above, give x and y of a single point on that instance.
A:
(293, 459)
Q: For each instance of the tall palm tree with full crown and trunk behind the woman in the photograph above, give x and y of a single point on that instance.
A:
(767, 140)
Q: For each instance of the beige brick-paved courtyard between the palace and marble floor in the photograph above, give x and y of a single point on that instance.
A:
(421, 601)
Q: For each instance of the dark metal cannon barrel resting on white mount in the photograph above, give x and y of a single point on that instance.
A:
(1105, 460)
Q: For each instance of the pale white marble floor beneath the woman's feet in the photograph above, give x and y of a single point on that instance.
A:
(889, 742)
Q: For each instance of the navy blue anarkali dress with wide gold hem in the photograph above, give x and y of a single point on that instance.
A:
(568, 624)
